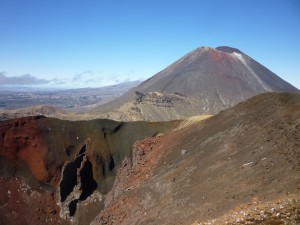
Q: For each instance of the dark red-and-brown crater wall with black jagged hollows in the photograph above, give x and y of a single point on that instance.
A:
(45, 162)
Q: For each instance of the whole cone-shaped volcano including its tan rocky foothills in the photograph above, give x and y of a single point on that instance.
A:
(205, 81)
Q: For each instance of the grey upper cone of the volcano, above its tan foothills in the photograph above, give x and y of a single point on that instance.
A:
(222, 71)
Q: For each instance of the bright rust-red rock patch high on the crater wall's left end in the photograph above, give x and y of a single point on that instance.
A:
(21, 142)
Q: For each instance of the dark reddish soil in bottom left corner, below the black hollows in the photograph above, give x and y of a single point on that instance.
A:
(21, 204)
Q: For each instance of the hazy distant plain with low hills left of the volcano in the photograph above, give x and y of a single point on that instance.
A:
(71, 104)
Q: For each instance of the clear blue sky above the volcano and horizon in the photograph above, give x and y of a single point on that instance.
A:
(97, 43)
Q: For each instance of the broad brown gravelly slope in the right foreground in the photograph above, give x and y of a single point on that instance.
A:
(241, 167)
